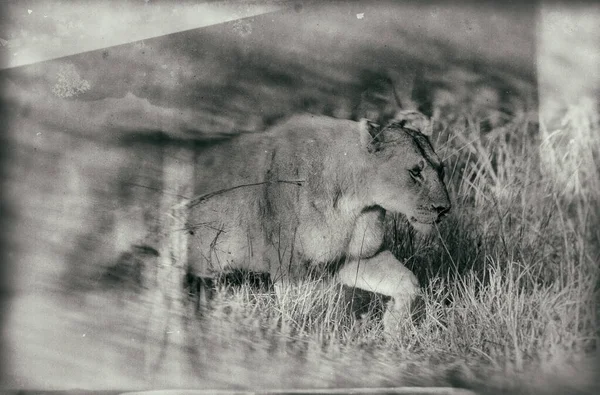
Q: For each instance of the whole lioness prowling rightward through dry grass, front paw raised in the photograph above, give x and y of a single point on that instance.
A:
(314, 190)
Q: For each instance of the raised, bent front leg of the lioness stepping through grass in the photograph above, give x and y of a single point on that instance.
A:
(384, 274)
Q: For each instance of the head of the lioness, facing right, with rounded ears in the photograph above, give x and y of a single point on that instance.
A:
(407, 176)
